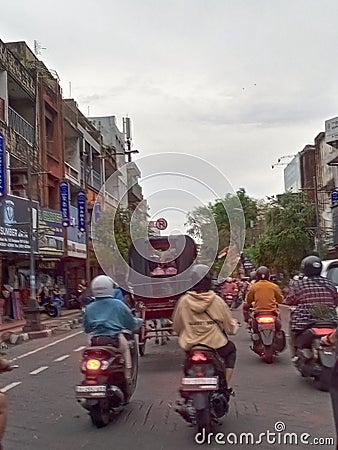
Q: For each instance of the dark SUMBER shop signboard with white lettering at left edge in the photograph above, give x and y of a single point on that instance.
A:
(15, 225)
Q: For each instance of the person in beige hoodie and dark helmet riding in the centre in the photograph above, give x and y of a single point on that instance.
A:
(201, 317)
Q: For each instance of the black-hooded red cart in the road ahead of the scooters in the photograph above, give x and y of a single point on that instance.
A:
(159, 275)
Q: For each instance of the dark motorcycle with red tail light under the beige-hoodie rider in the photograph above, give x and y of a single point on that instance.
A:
(204, 392)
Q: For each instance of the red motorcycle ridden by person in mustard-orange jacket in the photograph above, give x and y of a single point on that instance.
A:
(266, 342)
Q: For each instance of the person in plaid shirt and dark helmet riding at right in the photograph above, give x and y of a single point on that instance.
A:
(315, 297)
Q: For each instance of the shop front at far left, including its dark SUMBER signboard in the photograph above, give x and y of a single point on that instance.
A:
(15, 248)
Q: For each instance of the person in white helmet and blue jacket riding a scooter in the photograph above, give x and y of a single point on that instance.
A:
(108, 316)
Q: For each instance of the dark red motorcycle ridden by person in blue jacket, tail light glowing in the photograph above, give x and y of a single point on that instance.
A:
(105, 390)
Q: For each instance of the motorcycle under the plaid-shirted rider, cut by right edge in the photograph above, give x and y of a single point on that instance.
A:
(312, 359)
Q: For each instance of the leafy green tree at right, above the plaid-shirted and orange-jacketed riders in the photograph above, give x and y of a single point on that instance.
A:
(289, 235)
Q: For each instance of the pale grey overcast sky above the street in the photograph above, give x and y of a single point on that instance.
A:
(239, 83)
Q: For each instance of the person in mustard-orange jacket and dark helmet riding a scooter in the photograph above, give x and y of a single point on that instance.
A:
(264, 296)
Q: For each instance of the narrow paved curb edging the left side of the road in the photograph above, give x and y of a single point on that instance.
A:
(16, 338)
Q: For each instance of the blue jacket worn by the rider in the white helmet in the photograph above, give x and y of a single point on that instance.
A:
(108, 316)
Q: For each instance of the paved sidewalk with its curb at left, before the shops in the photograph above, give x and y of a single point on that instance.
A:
(12, 332)
